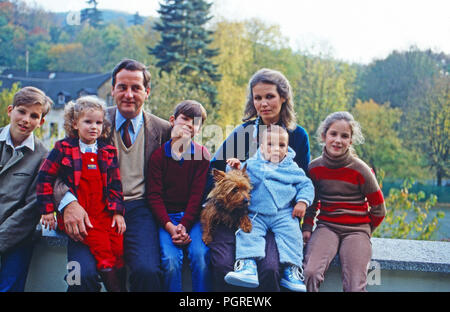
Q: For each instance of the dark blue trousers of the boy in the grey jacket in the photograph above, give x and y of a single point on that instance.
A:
(14, 267)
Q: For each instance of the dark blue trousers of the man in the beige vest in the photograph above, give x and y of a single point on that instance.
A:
(141, 253)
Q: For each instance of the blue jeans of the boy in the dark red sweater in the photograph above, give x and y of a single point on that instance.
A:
(172, 259)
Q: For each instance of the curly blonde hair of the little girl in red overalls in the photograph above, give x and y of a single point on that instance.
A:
(74, 110)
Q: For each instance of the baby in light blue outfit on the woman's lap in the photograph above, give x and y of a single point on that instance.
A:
(280, 195)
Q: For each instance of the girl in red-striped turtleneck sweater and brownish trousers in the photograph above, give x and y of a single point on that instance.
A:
(350, 205)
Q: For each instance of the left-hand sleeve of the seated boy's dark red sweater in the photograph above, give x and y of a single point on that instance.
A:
(155, 187)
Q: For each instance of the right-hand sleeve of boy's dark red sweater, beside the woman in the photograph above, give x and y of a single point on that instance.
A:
(197, 188)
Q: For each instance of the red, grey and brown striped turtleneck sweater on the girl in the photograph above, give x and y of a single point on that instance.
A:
(345, 189)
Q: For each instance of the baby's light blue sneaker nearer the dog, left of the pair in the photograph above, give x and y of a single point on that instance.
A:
(245, 274)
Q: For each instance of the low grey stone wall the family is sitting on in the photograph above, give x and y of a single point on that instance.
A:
(397, 265)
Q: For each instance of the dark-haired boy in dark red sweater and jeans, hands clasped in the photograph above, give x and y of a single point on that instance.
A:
(177, 177)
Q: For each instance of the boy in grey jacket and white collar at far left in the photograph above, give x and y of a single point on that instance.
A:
(21, 155)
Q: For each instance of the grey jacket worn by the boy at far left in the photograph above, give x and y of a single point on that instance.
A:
(18, 212)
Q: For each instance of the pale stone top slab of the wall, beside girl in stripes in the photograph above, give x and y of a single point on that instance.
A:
(409, 255)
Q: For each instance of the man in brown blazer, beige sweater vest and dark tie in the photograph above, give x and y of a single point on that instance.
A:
(136, 134)
